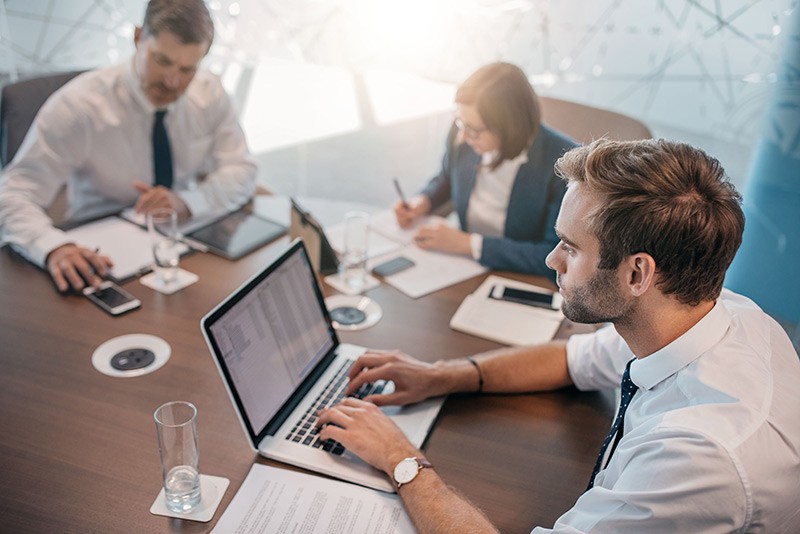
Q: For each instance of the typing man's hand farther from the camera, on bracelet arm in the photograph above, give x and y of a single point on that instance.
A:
(414, 380)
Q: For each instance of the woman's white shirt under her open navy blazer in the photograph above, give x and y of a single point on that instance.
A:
(488, 202)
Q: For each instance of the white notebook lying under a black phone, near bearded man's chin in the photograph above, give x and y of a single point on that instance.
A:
(509, 323)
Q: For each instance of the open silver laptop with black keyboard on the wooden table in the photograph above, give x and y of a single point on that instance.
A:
(281, 361)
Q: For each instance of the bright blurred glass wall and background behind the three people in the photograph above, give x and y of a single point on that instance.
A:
(338, 96)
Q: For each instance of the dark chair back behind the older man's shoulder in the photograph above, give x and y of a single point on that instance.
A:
(19, 103)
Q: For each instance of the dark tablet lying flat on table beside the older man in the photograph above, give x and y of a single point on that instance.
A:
(238, 234)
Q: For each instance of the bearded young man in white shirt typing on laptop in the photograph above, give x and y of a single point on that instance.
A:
(710, 436)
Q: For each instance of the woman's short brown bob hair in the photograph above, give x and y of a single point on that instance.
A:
(507, 104)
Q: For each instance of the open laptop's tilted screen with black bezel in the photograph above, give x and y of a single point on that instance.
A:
(269, 336)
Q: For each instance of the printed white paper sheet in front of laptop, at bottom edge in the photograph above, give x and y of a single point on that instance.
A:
(281, 501)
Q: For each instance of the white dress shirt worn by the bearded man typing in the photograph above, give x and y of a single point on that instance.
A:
(712, 436)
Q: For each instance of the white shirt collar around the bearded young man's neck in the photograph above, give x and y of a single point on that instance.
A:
(650, 371)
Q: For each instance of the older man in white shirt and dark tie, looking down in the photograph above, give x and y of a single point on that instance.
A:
(98, 136)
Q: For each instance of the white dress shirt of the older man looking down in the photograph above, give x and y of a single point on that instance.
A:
(94, 135)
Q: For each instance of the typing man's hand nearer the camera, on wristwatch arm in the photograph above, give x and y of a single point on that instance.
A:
(367, 432)
